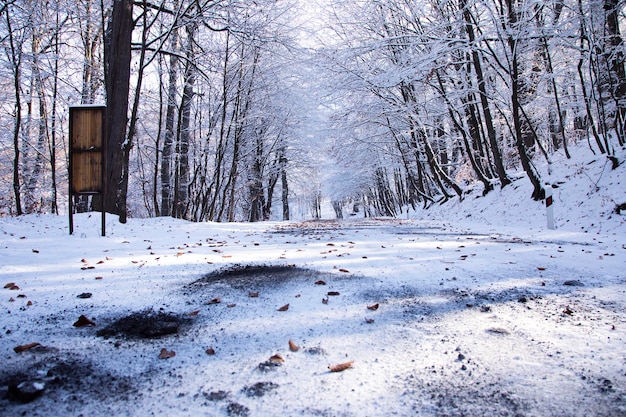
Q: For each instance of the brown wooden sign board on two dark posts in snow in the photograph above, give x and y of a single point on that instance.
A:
(87, 155)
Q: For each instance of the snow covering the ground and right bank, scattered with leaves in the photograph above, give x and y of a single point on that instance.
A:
(473, 318)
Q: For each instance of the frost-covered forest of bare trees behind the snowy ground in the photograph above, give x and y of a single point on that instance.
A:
(241, 110)
